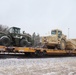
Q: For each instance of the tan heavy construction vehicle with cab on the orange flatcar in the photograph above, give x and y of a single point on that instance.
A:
(56, 40)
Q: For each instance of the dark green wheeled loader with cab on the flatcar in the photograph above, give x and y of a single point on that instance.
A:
(14, 38)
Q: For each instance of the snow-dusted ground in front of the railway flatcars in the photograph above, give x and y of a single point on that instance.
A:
(37, 66)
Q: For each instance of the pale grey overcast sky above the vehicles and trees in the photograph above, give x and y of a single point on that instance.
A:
(40, 16)
